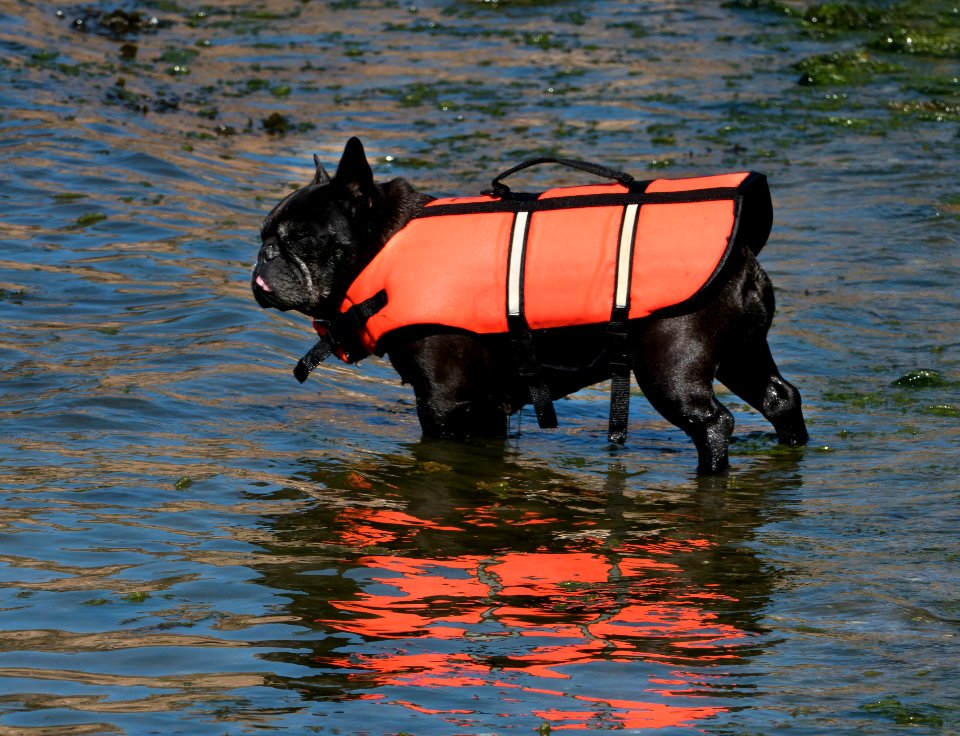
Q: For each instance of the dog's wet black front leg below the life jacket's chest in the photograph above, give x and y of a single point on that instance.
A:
(458, 395)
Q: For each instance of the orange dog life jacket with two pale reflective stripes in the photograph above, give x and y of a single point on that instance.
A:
(568, 257)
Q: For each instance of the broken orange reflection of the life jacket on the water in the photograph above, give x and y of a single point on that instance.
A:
(530, 621)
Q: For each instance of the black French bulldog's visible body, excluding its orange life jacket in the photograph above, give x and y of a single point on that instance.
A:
(319, 238)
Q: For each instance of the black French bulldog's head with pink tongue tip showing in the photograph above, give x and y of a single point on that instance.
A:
(318, 238)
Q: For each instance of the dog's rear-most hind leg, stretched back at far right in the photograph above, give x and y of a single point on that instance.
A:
(751, 373)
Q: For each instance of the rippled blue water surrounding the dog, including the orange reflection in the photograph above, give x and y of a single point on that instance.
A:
(193, 543)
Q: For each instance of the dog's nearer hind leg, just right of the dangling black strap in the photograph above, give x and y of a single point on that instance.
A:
(676, 376)
